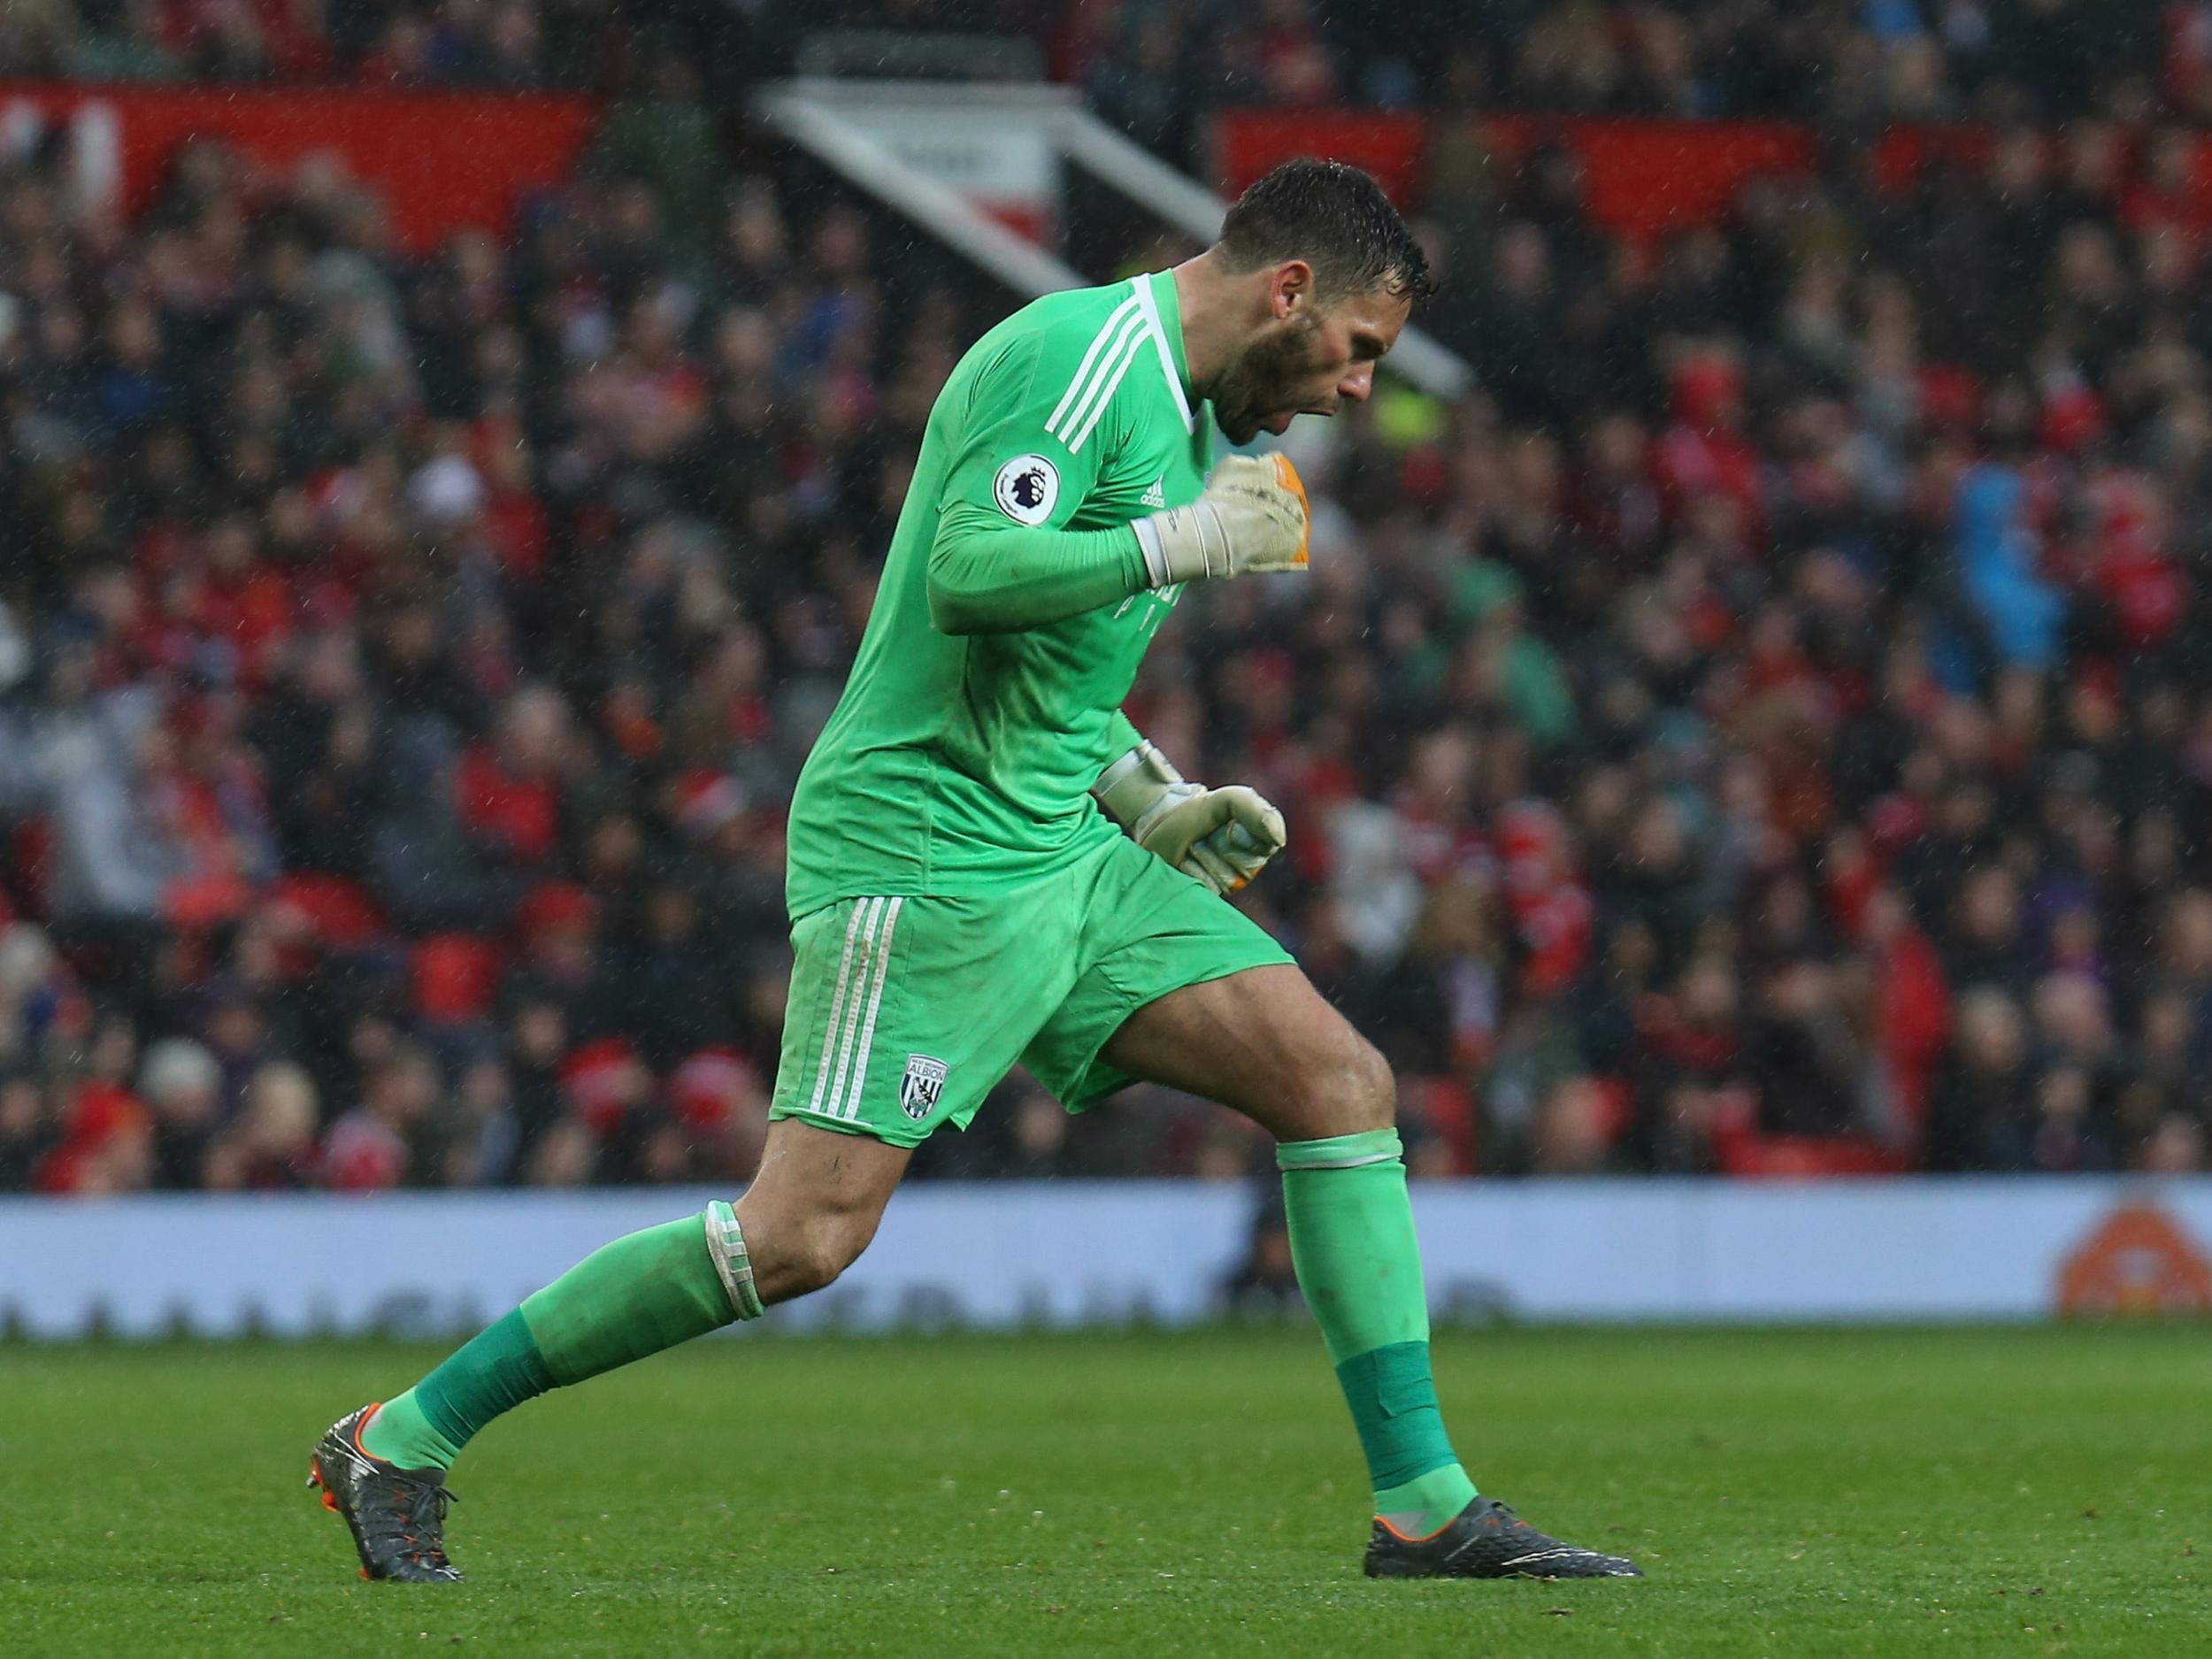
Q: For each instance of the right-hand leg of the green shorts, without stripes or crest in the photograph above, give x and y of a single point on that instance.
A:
(1151, 937)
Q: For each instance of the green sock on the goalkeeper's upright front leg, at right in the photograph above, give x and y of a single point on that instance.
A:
(1359, 1266)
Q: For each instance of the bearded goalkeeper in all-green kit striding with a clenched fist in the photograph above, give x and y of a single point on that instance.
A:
(990, 868)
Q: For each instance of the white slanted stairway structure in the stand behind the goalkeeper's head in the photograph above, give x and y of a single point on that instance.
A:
(935, 152)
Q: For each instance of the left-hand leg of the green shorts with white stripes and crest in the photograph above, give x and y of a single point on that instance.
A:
(906, 1012)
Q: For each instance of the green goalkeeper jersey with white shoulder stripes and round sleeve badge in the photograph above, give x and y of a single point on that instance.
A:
(1012, 612)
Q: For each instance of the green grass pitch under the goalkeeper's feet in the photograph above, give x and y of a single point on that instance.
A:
(1791, 1494)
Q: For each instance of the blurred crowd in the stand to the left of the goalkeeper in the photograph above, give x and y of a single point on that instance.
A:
(404, 665)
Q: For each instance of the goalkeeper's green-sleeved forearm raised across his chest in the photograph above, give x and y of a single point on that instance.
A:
(997, 578)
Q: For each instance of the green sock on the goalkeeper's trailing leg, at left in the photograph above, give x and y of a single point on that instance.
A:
(620, 1304)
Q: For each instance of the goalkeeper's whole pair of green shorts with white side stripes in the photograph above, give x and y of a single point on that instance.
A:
(908, 1012)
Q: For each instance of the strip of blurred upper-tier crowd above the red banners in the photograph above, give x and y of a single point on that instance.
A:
(1160, 65)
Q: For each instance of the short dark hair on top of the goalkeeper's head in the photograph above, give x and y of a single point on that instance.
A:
(1337, 220)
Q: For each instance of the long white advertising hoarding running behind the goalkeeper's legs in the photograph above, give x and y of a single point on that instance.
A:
(1100, 1253)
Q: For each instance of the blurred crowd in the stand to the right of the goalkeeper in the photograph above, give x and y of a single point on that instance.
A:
(1784, 735)
